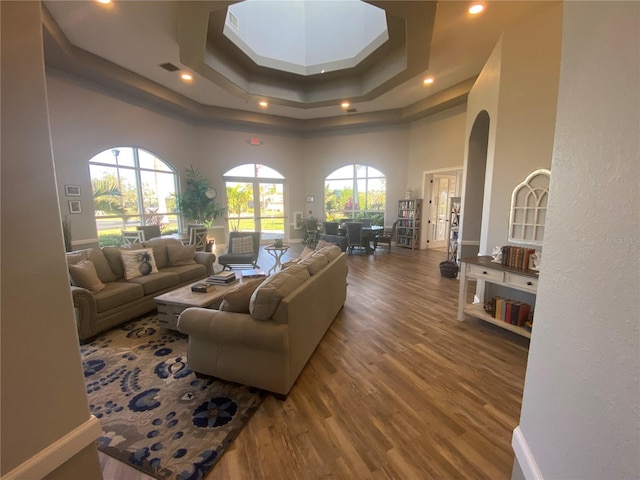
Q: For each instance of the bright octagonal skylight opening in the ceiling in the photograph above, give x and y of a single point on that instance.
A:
(292, 36)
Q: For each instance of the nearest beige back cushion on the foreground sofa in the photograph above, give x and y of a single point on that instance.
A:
(267, 296)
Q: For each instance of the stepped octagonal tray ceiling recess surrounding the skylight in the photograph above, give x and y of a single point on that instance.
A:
(205, 49)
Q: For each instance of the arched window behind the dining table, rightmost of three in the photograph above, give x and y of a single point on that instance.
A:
(355, 191)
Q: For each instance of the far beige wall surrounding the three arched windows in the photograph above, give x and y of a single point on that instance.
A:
(87, 119)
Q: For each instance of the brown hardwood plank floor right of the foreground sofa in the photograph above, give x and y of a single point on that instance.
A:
(397, 389)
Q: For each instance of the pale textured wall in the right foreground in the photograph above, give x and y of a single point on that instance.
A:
(581, 408)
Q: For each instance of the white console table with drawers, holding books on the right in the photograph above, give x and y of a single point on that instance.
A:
(484, 270)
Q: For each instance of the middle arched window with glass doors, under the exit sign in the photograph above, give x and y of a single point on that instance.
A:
(255, 197)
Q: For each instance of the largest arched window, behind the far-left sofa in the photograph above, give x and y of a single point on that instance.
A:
(132, 187)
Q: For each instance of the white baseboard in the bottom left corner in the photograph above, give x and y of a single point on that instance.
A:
(47, 460)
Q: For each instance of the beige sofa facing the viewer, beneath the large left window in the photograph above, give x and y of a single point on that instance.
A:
(103, 298)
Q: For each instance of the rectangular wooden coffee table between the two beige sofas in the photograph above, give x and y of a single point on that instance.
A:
(173, 303)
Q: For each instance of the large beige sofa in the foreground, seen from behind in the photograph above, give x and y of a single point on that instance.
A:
(268, 346)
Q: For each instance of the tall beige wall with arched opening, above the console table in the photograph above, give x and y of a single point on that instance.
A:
(518, 89)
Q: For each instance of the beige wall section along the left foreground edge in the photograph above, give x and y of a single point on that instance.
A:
(43, 391)
